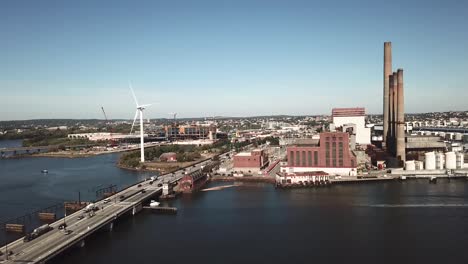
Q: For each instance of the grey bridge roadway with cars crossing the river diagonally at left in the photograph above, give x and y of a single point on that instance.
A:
(81, 224)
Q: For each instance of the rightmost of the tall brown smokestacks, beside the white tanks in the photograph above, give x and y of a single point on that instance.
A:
(401, 154)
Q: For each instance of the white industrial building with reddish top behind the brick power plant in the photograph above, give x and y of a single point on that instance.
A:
(345, 117)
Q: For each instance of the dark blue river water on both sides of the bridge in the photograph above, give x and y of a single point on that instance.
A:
(392, 222)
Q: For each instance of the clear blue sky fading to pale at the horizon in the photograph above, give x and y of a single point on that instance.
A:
(66, 59)
